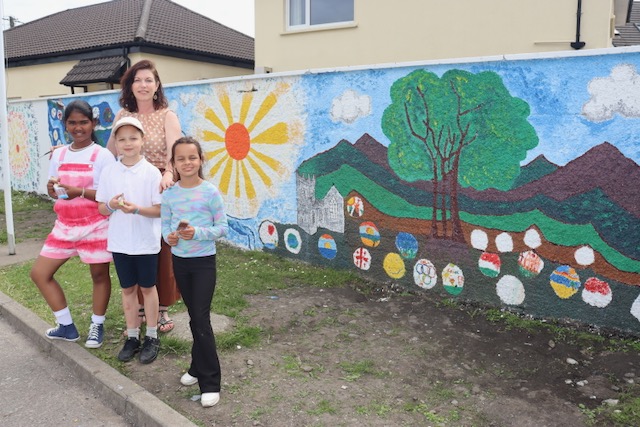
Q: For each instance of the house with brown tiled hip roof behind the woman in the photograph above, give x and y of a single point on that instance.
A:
(88, 48)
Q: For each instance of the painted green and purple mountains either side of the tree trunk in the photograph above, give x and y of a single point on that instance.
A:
(593, 200)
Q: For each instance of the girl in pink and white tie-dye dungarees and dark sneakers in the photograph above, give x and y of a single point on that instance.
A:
(80, 229)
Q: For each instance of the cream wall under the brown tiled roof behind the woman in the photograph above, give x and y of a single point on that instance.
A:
(38, 81)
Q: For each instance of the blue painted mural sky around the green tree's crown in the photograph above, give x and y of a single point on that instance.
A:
(555, 89)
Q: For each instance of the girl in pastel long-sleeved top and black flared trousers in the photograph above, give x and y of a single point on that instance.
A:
(193, 218)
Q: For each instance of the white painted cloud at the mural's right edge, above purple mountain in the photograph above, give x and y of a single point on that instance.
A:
(618, 93)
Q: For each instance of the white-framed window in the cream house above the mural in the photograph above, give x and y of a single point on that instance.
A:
(306, 13)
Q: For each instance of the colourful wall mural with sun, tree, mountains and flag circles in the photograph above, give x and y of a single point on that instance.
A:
(514, 183)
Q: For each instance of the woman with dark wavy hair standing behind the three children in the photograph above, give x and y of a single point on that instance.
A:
(142, 97)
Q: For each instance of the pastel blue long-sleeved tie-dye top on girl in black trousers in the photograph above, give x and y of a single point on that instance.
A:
(203, 207)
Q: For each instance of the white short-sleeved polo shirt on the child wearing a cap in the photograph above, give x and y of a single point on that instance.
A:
(132, 234)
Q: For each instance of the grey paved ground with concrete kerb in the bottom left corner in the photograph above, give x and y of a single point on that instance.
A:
(54, 383)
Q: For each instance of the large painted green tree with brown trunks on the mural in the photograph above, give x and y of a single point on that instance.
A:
(461, 129)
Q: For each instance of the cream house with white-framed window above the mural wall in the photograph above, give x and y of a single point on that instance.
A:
(304, 34)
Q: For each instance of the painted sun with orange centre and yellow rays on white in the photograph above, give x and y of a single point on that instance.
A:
(251, 149)
